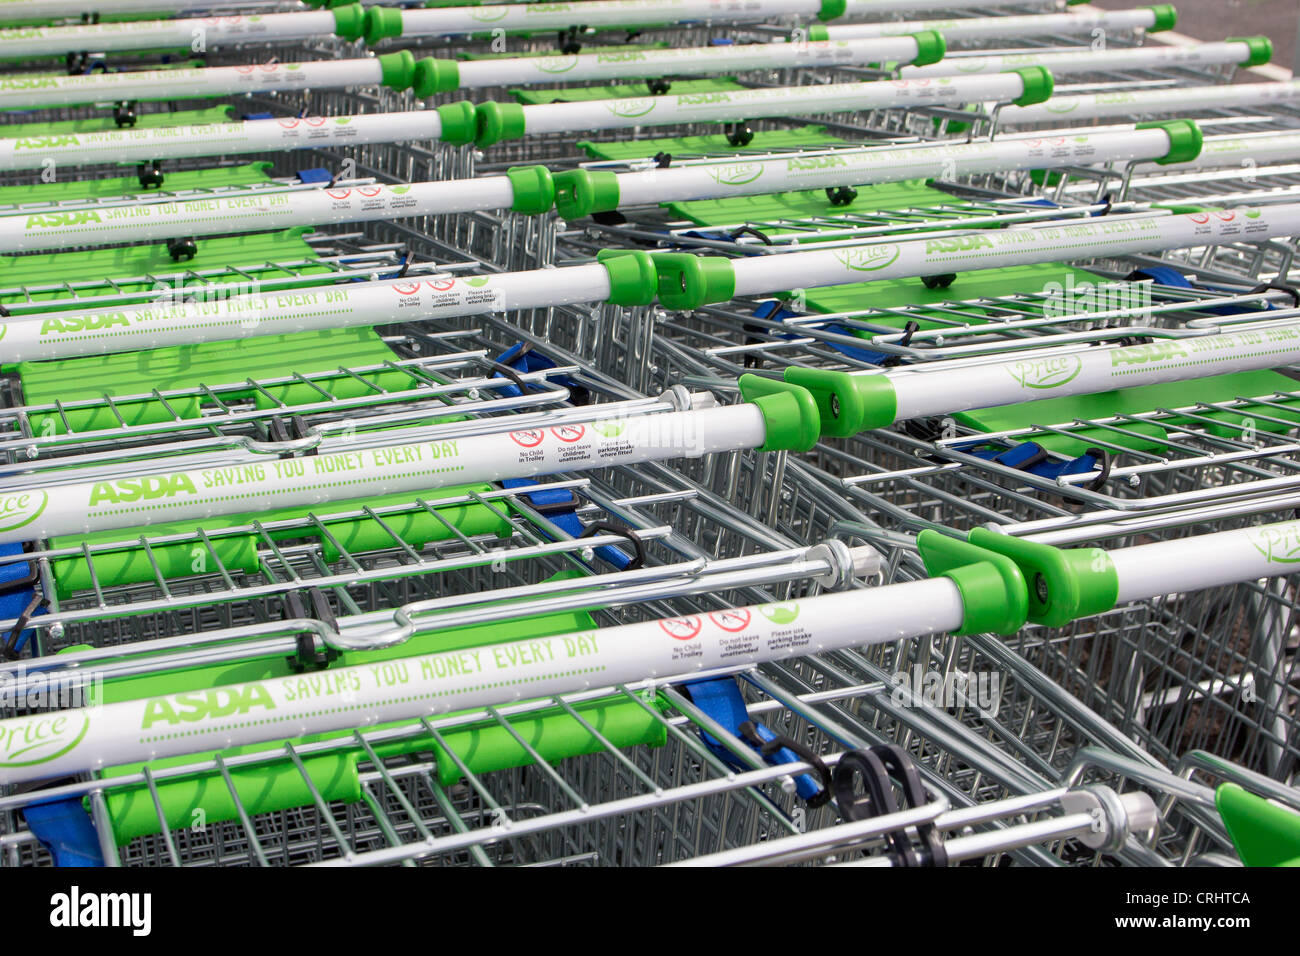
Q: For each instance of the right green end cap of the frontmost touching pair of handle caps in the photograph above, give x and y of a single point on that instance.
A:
(1064, 585)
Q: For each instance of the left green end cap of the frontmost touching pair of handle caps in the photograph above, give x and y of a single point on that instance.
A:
(993, 587)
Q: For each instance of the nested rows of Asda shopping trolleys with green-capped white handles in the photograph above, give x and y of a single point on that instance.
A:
(636, 432)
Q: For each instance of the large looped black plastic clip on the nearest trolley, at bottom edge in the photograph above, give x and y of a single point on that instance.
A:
(881, 768)
